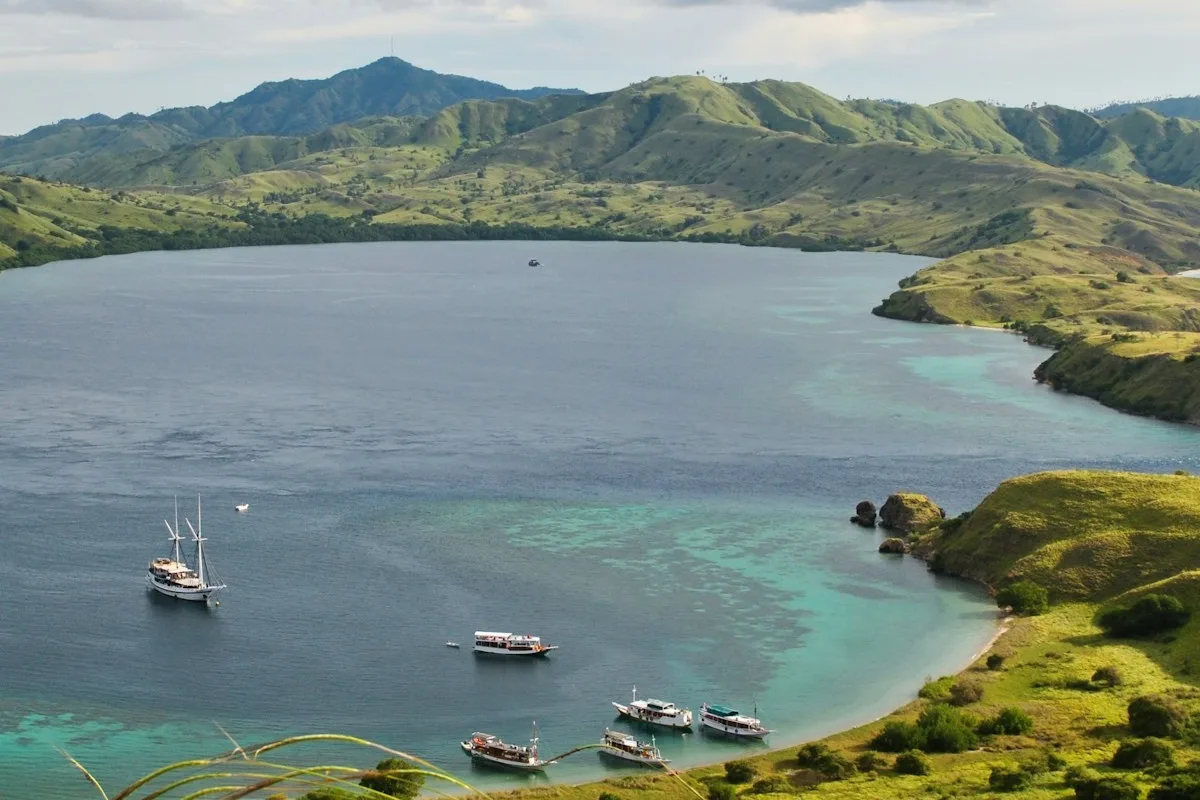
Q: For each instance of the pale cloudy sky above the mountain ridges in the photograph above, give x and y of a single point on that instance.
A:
(71, 58)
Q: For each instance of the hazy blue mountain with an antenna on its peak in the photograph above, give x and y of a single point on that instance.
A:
(389, 87)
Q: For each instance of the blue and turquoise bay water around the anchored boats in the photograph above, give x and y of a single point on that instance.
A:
(647, 454)
